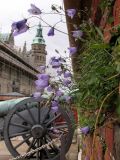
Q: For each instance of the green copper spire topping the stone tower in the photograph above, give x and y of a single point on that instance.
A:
(39, 37)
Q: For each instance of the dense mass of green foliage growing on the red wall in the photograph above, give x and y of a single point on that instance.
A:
(98, 67)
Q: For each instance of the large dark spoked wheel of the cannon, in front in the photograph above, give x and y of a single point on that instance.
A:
(38, 131)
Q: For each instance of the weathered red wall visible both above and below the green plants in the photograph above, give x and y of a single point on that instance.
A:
(106, 132)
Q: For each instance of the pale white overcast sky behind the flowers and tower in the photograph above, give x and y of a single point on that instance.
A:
(15, 10)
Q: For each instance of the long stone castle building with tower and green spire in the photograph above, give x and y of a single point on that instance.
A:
(18, 68)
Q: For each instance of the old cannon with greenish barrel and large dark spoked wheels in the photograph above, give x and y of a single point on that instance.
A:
(34, 124)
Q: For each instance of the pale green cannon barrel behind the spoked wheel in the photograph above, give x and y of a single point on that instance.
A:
(6, 106)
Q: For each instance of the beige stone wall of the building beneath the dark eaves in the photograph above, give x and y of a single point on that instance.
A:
(13, 79)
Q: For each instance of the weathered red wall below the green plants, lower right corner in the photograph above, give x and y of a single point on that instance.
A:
(106, 133)
